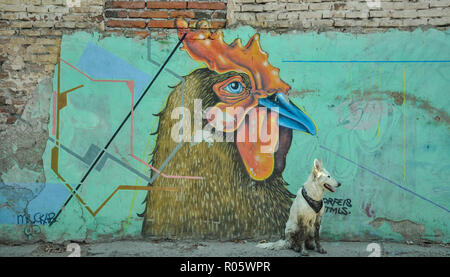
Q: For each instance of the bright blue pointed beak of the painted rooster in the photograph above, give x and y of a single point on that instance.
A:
(290, 115)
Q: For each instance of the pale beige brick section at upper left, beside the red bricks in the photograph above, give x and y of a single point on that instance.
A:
(30, 37)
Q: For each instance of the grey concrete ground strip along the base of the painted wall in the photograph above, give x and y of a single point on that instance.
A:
(185, 248)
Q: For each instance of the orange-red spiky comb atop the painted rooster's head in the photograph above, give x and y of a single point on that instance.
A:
(210, 48)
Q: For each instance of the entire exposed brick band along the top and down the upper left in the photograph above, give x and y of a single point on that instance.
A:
(30, 33)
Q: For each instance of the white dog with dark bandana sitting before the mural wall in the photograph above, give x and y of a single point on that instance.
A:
(302, 228)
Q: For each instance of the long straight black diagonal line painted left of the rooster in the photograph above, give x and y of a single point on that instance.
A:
(118, 129)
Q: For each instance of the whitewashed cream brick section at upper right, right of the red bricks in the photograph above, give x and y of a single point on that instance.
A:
(350, 15)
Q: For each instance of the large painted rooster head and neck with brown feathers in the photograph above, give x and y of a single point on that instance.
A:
(242, 193)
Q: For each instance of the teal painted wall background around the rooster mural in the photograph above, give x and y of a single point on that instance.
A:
(383, 132)
